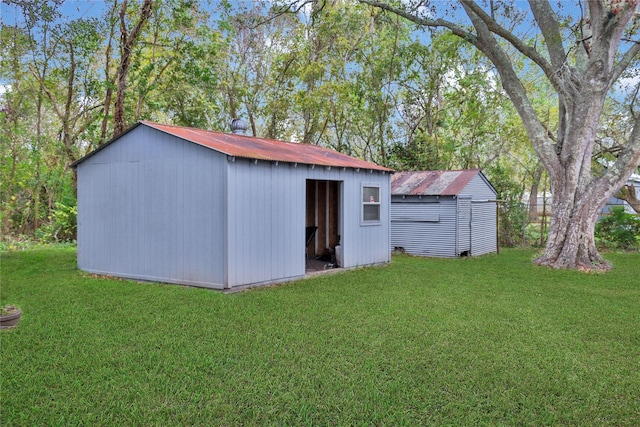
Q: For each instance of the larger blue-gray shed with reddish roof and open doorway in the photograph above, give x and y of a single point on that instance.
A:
(216, 210)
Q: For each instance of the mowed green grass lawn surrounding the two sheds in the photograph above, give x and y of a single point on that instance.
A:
(487, 341)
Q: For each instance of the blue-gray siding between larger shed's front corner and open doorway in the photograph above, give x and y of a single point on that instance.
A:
(267, 222)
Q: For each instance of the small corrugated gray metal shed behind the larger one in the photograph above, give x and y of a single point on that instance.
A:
(443, 213)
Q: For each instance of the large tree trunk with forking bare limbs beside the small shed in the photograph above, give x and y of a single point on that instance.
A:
(577, 194)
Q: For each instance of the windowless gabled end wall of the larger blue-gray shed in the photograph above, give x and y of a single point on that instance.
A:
(149, 208)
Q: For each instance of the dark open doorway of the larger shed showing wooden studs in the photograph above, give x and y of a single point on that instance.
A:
(323, 224)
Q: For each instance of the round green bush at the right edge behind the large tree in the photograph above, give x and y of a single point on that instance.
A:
(618, 230)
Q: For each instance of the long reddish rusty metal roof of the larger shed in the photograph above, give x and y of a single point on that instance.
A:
(265, 149)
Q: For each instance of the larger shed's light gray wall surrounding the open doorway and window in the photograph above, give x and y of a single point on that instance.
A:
(266, 219)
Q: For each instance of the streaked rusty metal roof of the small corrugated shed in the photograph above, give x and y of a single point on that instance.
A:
(431, 183)
